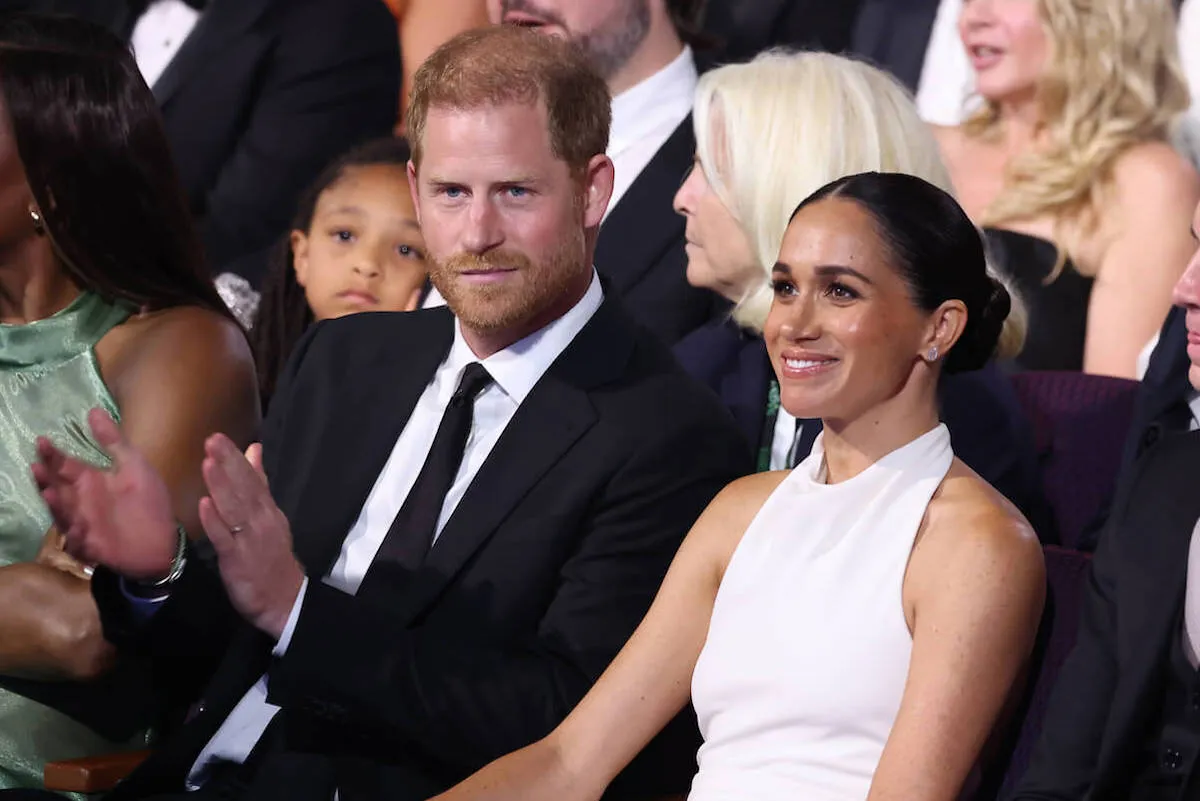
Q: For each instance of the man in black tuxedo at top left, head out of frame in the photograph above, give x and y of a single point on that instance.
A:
(257, 98)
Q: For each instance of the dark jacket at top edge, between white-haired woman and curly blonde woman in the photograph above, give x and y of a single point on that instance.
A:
(895, 34)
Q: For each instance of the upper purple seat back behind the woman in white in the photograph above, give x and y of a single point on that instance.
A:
(1081, 424)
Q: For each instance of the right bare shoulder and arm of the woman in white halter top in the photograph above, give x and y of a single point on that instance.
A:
(976, 586)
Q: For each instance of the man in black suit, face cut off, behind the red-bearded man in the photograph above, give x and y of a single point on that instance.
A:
(638, 49)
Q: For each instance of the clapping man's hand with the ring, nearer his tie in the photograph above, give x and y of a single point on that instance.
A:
(250, 535)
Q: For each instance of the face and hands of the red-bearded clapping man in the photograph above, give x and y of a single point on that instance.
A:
(511, 232)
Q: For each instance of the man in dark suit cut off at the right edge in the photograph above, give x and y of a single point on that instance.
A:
(1125, 718)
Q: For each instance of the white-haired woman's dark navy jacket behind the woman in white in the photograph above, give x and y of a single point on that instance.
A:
(988, 429)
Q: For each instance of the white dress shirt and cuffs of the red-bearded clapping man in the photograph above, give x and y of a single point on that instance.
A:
(515, 371)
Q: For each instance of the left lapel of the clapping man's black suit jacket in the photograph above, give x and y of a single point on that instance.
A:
(365, 420)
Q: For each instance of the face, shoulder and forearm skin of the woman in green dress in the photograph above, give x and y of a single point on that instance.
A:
(176, 375)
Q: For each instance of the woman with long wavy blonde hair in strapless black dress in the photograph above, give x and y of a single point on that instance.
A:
(1069, 165)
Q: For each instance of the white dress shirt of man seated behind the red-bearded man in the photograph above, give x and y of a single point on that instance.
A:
(646, 116)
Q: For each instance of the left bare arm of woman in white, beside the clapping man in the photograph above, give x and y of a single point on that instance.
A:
(647, 684)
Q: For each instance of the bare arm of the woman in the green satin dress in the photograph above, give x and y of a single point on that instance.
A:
(176, 380)
